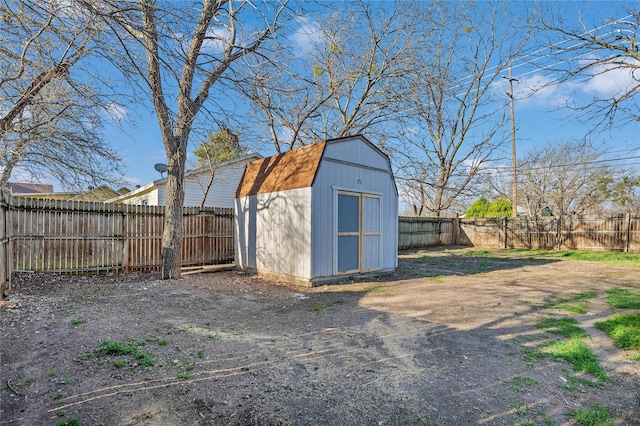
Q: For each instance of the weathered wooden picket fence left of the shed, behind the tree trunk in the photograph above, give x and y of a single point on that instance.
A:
(62, 236)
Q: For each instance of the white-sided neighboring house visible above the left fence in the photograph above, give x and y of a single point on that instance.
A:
(220, 194)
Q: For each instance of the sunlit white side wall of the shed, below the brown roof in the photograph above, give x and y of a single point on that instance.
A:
(279, 226)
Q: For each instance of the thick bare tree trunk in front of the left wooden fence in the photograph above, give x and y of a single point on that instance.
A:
(172, 237)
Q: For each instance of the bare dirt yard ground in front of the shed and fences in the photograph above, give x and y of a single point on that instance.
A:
(447, 340)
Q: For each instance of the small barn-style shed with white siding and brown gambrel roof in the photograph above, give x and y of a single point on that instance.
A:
(319, 213)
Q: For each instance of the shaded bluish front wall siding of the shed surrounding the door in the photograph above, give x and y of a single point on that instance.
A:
(333, 176)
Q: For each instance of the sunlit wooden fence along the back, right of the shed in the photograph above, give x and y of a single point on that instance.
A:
(614, 232)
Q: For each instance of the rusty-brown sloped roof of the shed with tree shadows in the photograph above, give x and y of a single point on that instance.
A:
(290, 170)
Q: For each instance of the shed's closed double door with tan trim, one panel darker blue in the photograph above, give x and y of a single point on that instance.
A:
(358, 219)
